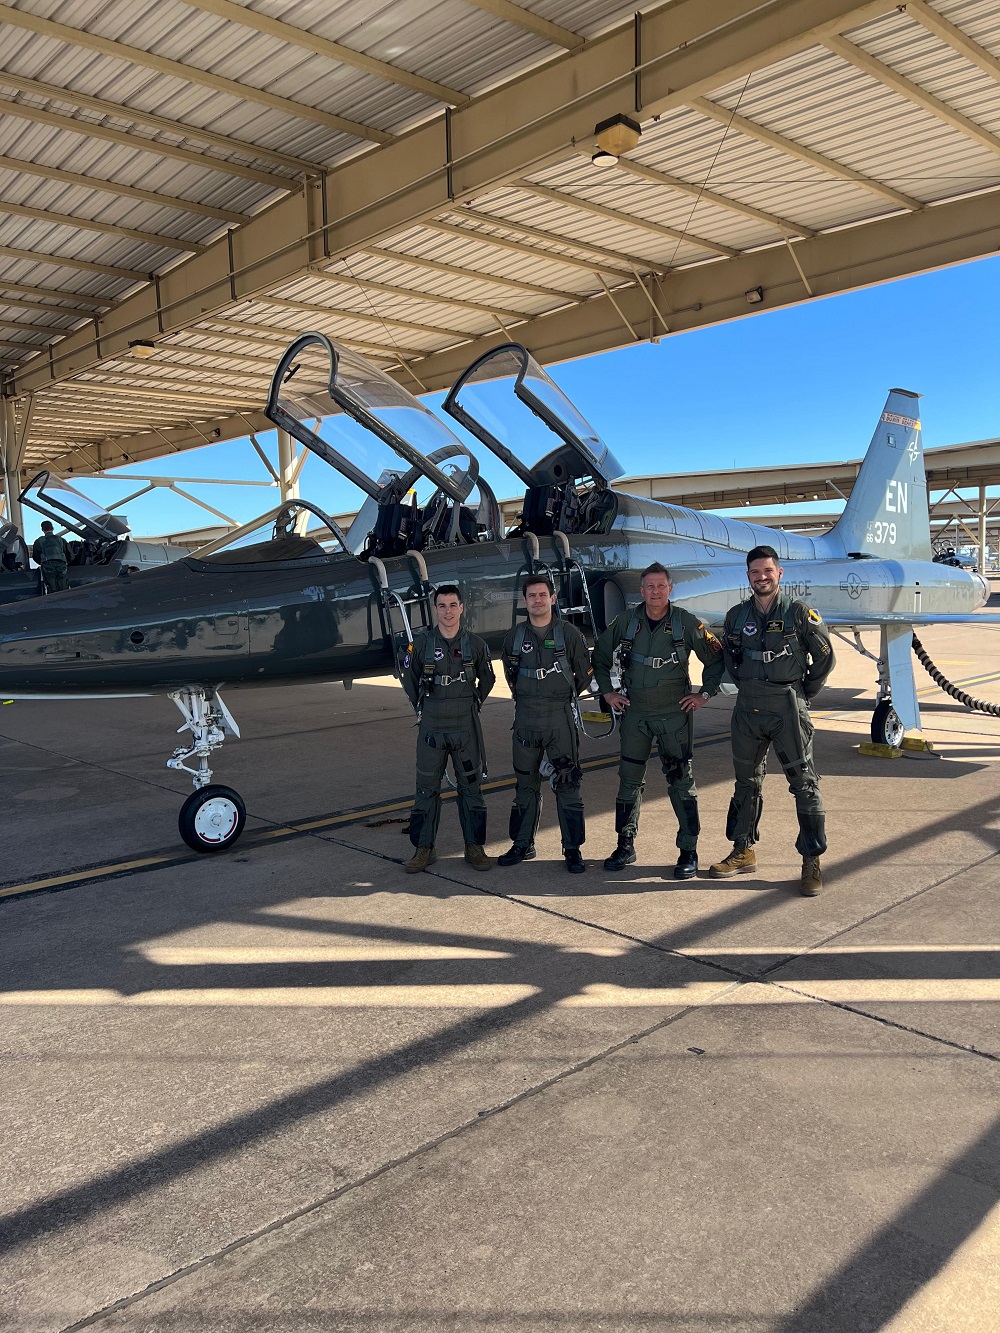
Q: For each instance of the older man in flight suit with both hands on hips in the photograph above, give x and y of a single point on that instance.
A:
(657, 703)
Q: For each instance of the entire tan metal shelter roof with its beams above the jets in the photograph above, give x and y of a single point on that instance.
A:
(187, 185)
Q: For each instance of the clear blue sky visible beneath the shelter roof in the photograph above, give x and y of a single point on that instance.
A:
(793, 386)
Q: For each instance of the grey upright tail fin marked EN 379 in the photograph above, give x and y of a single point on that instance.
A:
(887, 514)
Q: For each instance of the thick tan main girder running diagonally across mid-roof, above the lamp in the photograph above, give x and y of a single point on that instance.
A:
(519, 127)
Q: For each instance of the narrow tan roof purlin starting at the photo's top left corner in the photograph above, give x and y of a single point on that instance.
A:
(79, 38)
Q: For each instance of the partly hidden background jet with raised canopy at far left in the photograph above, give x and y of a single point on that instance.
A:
(101, 543)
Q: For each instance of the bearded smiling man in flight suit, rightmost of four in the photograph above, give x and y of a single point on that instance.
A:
(779, 654)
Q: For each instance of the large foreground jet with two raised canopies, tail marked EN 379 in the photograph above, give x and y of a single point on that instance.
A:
(293, 597)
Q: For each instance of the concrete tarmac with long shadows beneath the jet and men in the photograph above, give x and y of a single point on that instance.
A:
(291, 1088)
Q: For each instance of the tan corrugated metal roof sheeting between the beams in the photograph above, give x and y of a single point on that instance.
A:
(502, 259)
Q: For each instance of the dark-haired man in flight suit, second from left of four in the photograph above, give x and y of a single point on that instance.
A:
(547, 666)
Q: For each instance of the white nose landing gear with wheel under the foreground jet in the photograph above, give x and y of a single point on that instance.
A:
(214, 816)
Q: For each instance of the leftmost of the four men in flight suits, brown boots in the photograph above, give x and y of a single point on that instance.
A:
(447, 678)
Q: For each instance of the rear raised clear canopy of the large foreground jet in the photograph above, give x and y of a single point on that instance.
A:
(490, 398)
